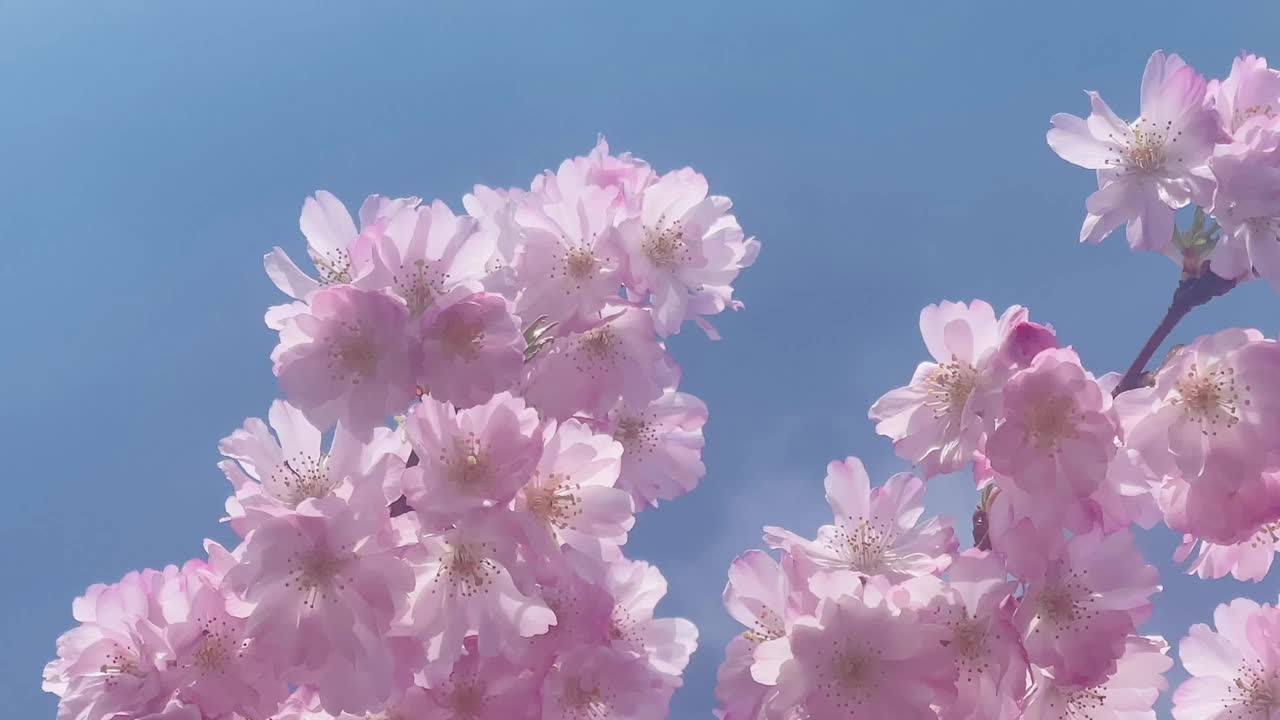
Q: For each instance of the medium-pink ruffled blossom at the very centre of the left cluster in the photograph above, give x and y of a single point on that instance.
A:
(469, 459)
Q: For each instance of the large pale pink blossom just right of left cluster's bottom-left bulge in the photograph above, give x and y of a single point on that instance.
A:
(322, 591)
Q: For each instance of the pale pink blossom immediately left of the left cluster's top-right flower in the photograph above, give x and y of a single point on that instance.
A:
(570, 263)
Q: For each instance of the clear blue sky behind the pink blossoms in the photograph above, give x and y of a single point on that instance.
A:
(889, 156)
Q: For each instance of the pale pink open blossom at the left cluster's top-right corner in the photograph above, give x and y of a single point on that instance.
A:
(684, 250)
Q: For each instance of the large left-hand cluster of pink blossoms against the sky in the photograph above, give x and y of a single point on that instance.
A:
(431, 522)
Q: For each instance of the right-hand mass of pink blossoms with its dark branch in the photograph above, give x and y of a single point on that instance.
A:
(883, 616)
